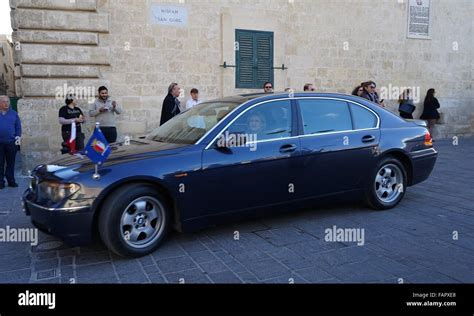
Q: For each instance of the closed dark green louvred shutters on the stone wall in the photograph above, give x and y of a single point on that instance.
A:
(254, 58)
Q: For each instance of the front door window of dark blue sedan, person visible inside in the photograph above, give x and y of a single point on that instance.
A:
(267, 121)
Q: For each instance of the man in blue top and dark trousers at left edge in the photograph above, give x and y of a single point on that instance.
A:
(10, 136)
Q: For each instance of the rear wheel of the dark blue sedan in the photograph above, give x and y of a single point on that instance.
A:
(387, 184)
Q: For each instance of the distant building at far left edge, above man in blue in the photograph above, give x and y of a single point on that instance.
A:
(7, 78)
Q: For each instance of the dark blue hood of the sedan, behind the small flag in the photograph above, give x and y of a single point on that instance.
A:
(137, 150)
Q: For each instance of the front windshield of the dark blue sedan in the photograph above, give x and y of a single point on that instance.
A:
(189, 126)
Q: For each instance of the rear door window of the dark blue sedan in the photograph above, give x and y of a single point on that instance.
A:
(324, 116)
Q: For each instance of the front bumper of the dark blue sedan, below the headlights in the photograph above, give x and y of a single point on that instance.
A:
(72, 224)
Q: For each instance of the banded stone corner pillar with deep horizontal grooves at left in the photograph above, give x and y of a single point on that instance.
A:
(57, 51)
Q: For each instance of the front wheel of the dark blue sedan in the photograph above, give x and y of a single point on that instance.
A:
(134, 220)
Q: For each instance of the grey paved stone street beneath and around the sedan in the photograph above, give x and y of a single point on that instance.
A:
(428, 238)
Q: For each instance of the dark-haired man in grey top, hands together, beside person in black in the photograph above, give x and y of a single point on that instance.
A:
(104, 111)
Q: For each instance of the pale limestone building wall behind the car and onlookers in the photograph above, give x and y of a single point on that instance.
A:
(334, 44)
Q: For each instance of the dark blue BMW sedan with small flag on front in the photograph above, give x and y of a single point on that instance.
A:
(229, 159)
